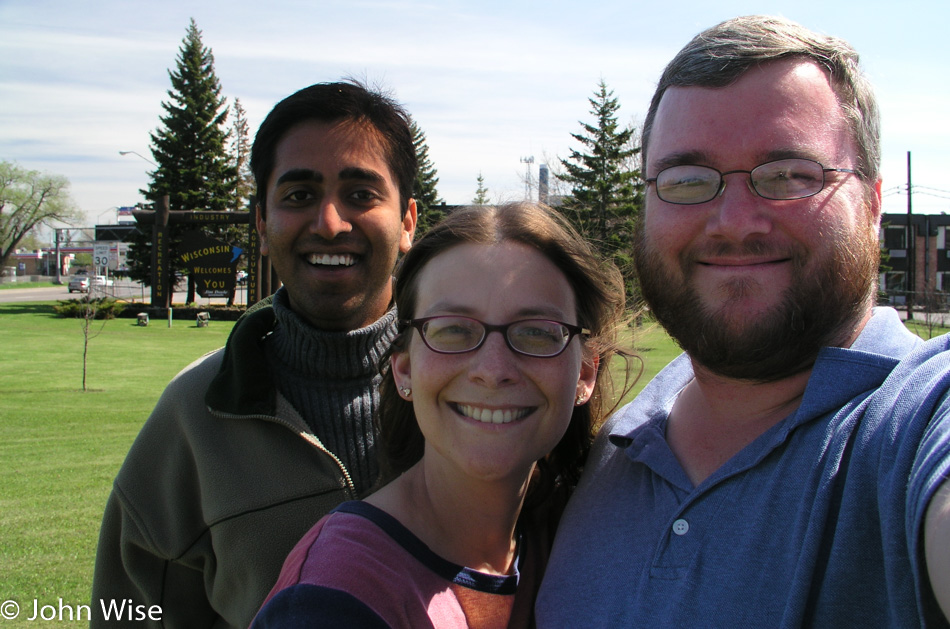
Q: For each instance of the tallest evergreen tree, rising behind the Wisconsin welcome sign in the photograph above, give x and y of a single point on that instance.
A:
(194, 168)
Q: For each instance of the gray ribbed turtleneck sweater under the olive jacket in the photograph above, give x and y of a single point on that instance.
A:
(332, 380)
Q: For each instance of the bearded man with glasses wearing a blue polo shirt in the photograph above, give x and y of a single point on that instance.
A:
(789, 470)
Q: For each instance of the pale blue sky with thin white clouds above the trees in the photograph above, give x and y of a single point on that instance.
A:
(490, 82)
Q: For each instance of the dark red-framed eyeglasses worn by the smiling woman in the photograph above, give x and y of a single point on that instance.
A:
(452, 334)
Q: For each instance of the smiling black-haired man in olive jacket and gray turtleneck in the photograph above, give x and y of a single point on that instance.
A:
(251, 444)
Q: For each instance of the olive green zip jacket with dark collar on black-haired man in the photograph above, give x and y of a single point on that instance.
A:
(223, 480)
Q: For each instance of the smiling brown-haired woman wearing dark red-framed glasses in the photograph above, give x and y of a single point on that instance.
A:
(494, 386)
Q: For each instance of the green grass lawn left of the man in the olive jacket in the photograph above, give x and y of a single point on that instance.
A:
(61, 447)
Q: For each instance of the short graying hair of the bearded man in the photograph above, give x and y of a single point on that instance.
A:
(719, 56)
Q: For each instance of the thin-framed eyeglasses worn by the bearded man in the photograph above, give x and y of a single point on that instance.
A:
(781, 180)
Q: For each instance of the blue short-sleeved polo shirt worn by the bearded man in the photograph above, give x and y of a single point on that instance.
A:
(816, 523)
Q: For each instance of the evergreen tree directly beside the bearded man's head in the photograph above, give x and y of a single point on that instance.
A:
(606, 185)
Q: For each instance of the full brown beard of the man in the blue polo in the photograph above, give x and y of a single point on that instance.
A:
(822, 307)
